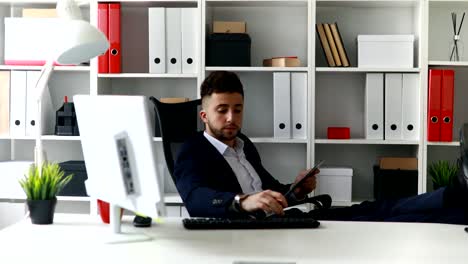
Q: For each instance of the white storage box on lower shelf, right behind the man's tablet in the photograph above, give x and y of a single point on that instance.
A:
(337, 182)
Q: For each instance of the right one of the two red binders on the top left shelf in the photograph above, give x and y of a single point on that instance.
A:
(114, 38)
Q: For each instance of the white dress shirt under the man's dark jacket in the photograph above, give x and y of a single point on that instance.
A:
(246, 175)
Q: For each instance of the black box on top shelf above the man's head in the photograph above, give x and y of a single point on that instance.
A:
(228, 49)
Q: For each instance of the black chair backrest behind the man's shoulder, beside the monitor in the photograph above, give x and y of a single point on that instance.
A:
(177, 122)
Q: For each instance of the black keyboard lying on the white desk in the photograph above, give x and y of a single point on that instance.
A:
(266, 223)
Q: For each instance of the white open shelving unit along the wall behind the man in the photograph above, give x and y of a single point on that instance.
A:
(277, 28)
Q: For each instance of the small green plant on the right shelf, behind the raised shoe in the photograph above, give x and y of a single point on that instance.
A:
(442, 173)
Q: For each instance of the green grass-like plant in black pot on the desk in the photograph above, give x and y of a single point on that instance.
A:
(41, 191)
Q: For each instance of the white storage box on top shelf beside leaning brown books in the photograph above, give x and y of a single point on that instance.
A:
(385, 51)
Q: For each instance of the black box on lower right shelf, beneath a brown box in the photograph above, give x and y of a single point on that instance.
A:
(394, 183)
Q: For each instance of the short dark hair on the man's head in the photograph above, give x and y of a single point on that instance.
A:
(221, 82)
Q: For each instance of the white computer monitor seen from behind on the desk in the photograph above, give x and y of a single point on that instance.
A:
(117, 144)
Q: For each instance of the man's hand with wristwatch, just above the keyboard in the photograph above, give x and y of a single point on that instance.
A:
(268, 201)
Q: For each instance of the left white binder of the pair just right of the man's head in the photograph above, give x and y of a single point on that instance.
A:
(282, 104)
